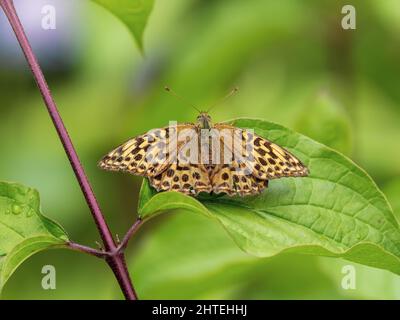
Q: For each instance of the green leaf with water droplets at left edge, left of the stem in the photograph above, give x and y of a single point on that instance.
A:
(23, 229)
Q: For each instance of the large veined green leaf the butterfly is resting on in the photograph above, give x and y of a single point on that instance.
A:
(337, 211)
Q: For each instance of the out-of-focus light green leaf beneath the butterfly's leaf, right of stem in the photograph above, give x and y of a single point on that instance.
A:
(204, 269)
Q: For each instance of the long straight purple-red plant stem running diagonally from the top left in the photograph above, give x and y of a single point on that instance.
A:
(116, 262)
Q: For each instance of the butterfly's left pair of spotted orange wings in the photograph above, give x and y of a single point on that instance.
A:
(160, 155)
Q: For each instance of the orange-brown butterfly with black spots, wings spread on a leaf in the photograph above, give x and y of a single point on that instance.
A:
(204, 157)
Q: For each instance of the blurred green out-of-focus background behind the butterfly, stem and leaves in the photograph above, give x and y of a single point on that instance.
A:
(294, 65)
